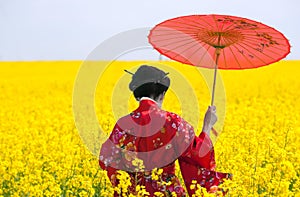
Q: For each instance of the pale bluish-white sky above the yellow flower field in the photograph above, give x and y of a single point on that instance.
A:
(71, 29)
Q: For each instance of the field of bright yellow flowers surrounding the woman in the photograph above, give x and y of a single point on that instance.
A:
(42, 153)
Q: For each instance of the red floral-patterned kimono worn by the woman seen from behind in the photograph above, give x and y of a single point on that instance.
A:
(159, 138)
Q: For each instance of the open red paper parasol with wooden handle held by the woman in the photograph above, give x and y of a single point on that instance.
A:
(219, 41)
